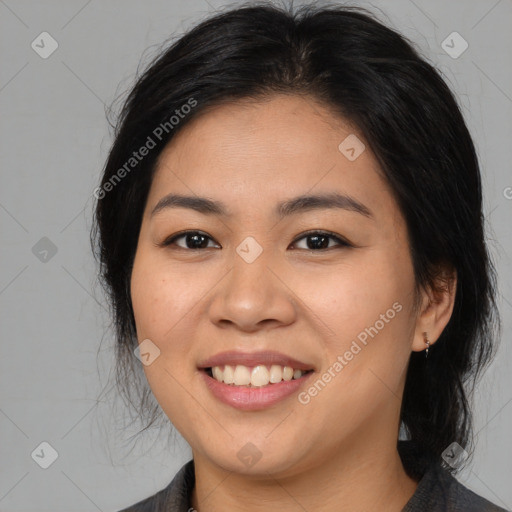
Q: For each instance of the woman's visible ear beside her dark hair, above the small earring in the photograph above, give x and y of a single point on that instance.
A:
(436, 307)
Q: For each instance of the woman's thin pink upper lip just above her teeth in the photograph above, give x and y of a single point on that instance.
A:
(251, 359)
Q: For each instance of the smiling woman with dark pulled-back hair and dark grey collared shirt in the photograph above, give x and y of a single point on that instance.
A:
(290, 229)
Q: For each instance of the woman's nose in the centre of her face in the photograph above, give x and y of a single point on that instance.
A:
(253, 296)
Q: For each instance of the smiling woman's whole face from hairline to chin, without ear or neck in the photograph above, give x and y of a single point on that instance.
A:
(242, 288)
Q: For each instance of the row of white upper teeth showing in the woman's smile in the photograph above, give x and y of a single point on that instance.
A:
(256, 376)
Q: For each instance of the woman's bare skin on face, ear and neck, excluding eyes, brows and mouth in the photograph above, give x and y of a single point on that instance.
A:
(309, 304)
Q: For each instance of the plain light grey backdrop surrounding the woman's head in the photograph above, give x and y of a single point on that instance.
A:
(53, 142)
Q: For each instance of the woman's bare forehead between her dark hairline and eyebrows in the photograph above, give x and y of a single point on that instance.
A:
(252, 152)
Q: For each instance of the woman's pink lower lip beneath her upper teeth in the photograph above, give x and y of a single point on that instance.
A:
(252, 399)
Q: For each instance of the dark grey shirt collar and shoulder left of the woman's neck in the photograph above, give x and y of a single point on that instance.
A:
(175, 497)
